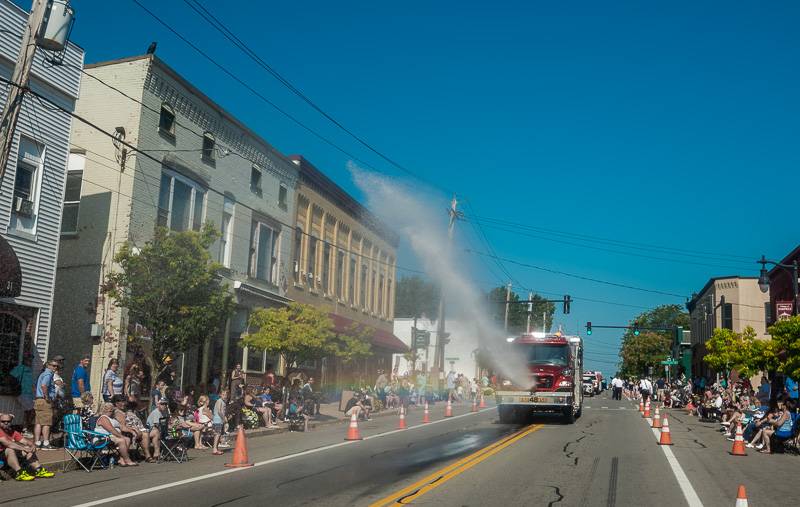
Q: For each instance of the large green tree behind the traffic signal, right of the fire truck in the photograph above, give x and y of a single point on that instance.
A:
(651, 347)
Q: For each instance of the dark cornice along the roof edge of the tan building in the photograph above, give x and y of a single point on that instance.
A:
(309, 173)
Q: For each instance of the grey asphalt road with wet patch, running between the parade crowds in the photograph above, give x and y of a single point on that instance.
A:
(608, 457)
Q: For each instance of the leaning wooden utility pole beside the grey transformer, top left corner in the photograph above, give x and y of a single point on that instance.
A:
(20, 77)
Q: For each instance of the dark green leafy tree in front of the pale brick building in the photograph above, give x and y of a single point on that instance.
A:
(170, 287)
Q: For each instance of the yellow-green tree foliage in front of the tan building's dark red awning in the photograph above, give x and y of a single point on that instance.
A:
(301, 333)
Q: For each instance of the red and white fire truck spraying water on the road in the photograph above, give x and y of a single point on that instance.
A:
(554, 368)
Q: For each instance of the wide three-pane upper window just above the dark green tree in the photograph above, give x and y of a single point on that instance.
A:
(181, 203)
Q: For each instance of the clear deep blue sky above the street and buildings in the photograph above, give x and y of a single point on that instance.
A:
(663, 124)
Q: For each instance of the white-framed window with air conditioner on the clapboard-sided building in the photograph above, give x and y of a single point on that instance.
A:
(27, 185)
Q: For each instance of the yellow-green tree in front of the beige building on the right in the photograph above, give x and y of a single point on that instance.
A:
(727, 350)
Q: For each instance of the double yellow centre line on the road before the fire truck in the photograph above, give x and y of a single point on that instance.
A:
(436, 479)
